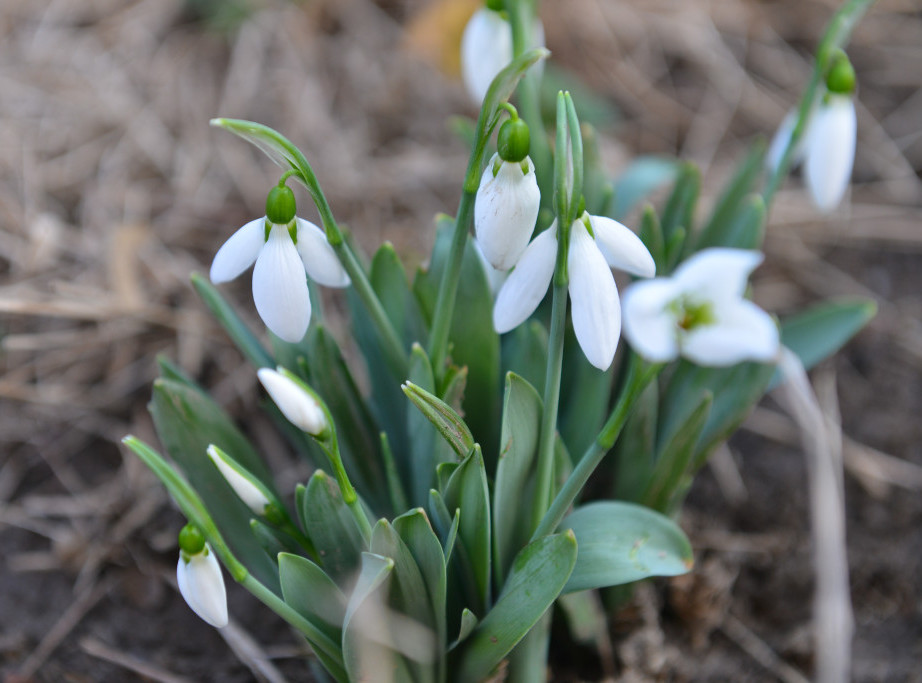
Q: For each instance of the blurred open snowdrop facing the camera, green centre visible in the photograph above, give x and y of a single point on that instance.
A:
(700, 313)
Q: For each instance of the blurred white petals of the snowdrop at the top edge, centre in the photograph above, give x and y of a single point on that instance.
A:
(486, 47)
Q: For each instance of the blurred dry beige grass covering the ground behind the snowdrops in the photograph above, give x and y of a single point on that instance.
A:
(113, 189)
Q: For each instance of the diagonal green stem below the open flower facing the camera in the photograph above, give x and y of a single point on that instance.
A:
(639, 376)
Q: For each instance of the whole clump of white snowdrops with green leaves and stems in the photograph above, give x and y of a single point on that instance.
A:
(447, 513)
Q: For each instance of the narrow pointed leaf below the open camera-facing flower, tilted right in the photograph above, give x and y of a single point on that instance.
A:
(675, 459)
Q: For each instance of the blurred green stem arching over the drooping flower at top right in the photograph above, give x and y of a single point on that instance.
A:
(836, 37)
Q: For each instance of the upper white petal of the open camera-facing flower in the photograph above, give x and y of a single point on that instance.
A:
(717, 273)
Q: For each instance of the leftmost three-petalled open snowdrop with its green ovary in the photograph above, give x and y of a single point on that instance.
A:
(283, 247)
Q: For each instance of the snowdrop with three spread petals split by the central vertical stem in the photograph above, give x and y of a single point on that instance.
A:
(596, 309)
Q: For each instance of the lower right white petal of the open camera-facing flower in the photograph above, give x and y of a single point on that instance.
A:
(743, 331)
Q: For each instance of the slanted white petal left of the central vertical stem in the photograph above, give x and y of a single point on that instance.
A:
(526, 286)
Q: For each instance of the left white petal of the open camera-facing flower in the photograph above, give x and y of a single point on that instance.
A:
(649, 326)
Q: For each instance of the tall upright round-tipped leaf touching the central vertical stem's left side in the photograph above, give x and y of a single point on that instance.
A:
(511, 513)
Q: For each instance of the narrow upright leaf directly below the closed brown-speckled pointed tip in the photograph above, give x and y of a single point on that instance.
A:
(467, 491)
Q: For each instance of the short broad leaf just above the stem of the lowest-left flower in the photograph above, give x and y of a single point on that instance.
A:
(312, 594)
